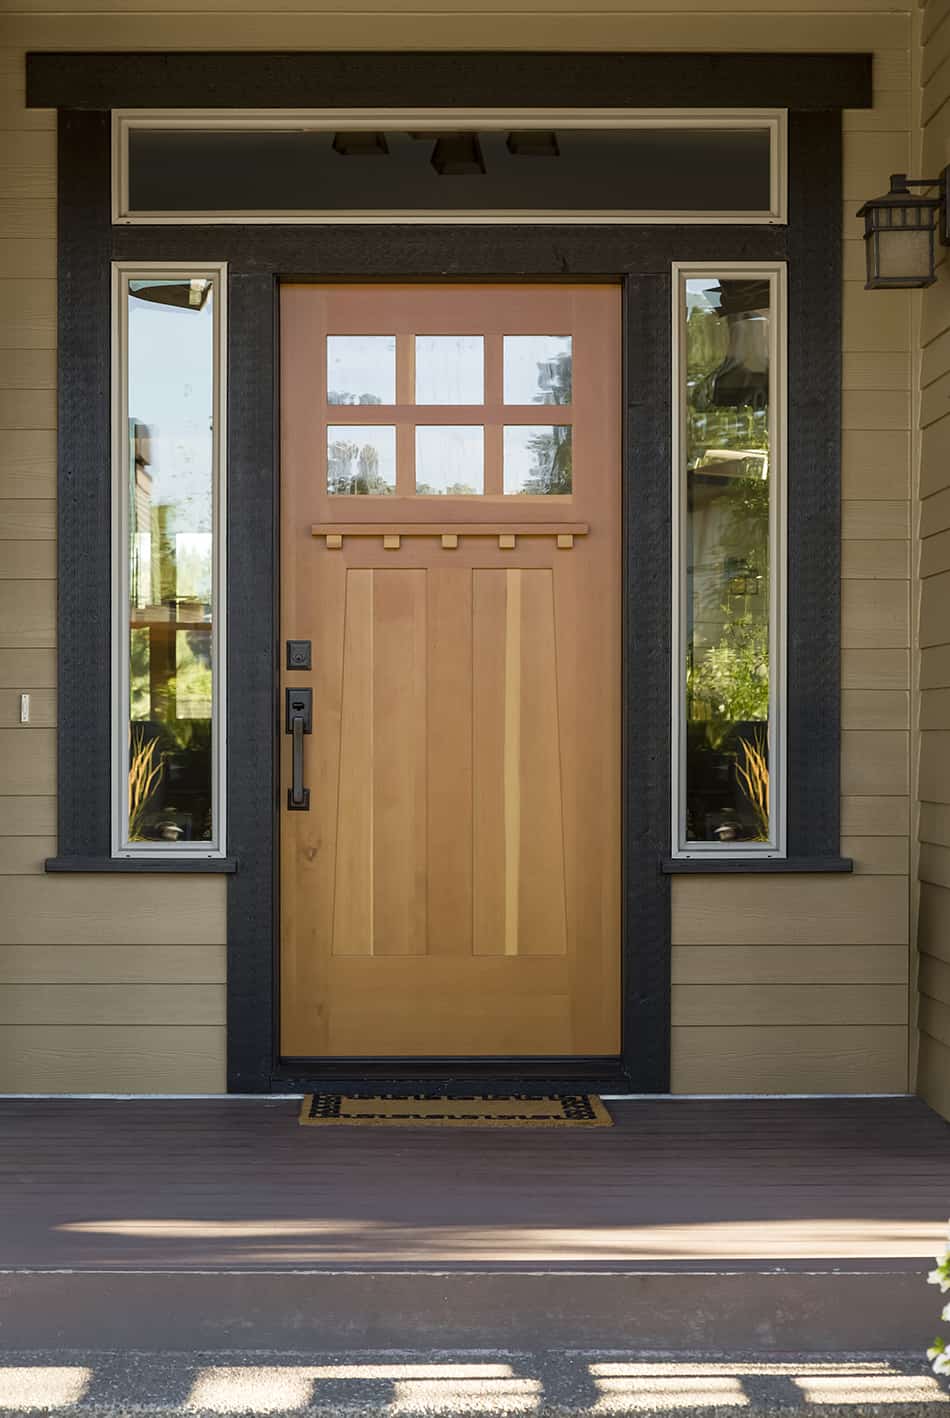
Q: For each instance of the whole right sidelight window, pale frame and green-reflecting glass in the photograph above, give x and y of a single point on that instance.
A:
(730, 521)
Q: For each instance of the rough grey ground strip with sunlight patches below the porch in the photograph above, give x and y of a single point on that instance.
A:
(488, 1383)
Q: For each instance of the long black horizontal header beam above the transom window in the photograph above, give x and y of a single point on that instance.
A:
(473, 80)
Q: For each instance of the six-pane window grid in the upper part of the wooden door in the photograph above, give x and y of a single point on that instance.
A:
(456, 416)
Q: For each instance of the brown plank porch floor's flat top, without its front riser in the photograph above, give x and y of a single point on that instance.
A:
(236, 1185)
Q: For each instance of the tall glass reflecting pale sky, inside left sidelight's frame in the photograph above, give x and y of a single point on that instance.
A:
(171, 569)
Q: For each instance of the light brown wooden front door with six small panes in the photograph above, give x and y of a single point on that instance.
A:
(452, 549)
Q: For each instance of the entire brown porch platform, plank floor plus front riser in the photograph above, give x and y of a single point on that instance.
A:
(714, 1209)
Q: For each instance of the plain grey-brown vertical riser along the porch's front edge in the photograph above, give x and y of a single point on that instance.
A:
(878, 1307)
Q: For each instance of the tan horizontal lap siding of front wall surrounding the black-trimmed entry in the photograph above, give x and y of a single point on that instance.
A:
(792, 985)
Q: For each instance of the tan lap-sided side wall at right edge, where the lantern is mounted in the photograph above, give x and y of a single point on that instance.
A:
(934, 521)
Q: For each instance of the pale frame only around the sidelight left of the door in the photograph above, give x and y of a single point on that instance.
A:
(123, 273)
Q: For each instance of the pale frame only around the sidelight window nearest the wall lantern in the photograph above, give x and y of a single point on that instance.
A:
(776, 273)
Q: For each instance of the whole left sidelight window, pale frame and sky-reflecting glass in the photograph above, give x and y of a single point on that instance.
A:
(168, 561)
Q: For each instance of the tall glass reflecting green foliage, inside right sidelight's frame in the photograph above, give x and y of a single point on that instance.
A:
(728, 559)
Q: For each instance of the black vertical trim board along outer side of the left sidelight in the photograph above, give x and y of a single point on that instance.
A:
(84, 490)
